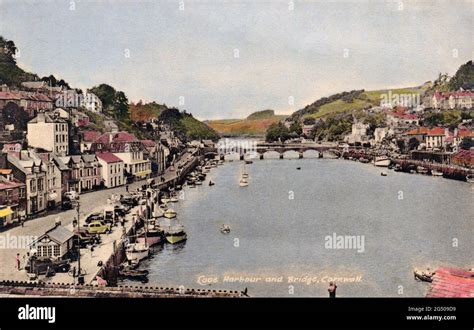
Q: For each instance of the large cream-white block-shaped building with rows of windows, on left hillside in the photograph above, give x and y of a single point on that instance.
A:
(50, 133)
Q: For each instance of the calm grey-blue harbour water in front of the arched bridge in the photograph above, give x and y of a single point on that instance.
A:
(280, 223)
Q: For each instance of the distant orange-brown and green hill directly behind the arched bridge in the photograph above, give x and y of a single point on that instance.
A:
(256, 124)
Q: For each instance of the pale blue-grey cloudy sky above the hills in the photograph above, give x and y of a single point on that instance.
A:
(227, 59)
